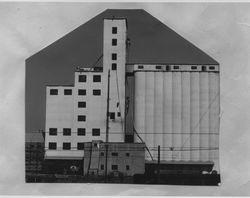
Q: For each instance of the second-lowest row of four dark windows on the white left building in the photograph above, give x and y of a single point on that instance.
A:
(80, 132)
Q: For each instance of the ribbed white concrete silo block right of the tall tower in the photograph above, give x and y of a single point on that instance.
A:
(181, 108)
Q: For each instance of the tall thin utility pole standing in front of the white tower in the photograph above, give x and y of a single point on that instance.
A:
(107, 130)
